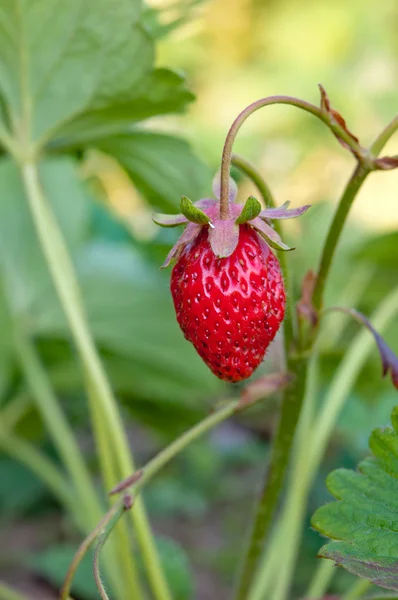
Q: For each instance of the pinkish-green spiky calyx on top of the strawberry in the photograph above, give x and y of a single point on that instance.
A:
(224, 233)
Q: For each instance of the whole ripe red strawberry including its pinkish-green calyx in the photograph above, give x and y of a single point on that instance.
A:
(227, 285)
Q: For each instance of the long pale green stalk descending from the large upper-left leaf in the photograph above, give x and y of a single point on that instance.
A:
(65, 281)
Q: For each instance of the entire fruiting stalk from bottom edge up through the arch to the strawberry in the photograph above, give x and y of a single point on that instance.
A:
(292, 402)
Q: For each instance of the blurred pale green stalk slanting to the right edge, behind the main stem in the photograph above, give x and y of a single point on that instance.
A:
(318, 433)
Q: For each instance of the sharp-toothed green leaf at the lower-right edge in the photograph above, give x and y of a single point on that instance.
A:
(364, 520)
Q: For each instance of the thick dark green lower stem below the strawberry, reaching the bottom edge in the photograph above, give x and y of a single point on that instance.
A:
(282, 443)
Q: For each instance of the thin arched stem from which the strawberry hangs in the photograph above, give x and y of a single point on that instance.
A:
(249, 110)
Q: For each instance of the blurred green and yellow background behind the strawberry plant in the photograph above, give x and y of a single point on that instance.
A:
(232, 52)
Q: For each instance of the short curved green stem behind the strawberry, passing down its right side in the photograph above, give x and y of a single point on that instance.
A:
(290, 325)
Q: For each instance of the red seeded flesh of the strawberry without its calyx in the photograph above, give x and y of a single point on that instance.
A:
(229, 308)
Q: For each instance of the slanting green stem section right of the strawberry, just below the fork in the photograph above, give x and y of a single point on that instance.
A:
(356, 180)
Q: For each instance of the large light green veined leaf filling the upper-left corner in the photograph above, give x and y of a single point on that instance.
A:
(58, 59)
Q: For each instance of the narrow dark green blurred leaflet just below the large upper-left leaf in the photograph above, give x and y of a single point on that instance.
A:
(162, 91)
